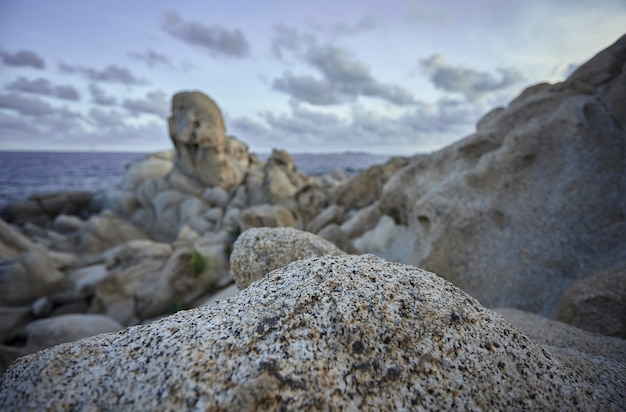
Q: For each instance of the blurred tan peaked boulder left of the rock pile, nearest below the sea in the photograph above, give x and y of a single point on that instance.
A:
(105, 231)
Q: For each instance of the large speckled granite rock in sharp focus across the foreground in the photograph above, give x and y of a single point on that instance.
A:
(329, 333)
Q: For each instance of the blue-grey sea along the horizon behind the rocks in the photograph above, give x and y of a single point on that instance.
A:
(25, 173)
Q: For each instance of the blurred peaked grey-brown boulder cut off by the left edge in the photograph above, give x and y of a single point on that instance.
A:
(31, 276)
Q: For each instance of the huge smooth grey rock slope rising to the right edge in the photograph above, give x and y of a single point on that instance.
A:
(531, 203)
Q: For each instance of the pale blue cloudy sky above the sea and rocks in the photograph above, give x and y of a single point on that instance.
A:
(393, 77)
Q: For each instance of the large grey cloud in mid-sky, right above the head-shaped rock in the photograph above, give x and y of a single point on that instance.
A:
(344, 79)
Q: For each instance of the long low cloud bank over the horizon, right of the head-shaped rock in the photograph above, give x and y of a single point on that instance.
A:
(421, 128)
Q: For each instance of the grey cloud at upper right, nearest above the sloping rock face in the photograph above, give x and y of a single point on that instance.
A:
(467, 81)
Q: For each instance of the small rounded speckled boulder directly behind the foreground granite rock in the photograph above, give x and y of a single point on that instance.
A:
(258, 251)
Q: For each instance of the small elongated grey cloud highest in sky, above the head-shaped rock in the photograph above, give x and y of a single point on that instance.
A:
(220, 41)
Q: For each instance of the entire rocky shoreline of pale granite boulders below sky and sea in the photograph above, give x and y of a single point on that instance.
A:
(528, 213)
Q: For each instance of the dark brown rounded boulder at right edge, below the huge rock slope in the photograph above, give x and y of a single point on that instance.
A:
(597, 303)
